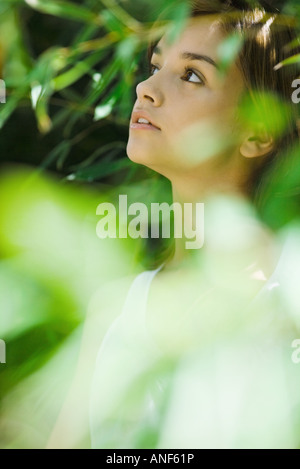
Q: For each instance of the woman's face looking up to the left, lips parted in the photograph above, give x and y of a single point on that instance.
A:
(193, 107)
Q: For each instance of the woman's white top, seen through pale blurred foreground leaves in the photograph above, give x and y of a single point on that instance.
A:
(237, 394)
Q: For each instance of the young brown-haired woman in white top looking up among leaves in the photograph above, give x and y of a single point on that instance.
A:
(191, 361)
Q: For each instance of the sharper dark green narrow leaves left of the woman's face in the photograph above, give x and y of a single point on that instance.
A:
(70, 70)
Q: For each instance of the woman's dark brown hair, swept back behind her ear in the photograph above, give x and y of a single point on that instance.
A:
(269, 38)
